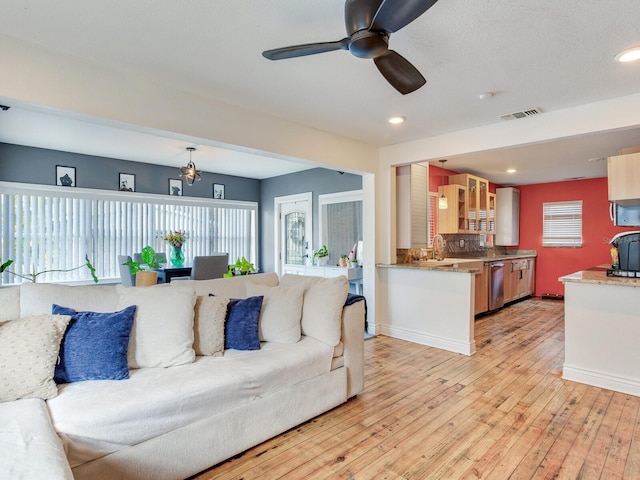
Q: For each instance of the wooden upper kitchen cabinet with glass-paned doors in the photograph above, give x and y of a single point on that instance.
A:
(478, 205)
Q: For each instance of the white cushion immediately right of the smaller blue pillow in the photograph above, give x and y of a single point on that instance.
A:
(280, 314)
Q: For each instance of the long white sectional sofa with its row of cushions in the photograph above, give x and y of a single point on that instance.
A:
(189, 402)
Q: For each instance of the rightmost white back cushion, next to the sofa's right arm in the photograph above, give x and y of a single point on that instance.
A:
(322, 305)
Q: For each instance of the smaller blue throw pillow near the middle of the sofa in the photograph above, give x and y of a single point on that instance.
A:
(241, 327)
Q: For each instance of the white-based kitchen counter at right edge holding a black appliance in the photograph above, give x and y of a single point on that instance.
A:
(602, 329)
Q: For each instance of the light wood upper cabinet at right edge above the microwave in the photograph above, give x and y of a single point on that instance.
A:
(623, 172)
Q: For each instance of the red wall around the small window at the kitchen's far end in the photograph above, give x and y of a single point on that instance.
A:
(597, 229)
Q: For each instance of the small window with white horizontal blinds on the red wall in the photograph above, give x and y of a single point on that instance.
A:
(562, 224)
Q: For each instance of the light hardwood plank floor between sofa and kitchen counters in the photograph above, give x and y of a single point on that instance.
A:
(504, 413)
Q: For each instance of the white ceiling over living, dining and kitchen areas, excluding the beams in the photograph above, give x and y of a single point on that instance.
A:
(548, 54)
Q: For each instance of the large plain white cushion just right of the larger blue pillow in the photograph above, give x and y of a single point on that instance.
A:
(162, 334)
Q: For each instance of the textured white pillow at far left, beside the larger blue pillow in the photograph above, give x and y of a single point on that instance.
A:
(28, 352)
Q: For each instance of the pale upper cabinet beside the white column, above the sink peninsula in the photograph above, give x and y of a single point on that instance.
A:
(412, 204)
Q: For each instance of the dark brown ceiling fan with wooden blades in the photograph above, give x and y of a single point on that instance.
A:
(369, 24)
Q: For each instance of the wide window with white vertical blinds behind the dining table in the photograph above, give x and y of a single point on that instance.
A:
(46, 228)
